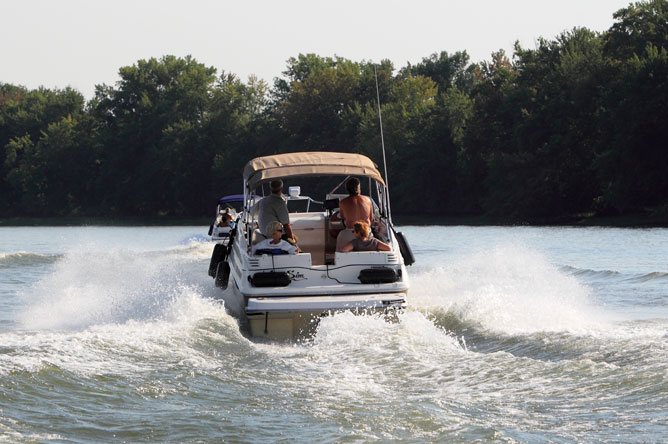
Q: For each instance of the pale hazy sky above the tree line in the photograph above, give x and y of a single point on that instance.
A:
(81, 43)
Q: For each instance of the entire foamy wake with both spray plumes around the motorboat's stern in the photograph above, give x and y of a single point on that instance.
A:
(129, 313)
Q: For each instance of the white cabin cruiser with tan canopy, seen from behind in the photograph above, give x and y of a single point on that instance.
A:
(283, 296)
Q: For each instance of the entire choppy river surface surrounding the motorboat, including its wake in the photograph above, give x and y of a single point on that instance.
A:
(514, 334)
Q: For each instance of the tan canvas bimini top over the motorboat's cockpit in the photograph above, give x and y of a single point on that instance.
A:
(262, 169)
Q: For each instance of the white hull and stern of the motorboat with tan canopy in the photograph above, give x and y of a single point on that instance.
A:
(318, 285)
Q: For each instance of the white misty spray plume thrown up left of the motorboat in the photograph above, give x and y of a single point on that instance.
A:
(89, 287)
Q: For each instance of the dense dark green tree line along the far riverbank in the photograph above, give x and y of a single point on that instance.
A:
(576, 125)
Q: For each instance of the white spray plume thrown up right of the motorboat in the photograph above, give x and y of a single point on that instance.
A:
(507, 289)
